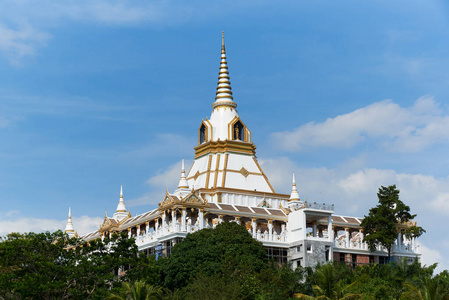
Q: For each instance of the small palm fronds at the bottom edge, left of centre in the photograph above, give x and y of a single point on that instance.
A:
(138, 290)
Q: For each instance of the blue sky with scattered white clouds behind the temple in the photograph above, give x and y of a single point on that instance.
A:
(349, 95)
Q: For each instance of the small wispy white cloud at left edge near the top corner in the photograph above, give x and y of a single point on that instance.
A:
(16, 44)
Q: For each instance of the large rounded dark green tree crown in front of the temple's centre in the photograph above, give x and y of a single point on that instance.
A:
(228, 249)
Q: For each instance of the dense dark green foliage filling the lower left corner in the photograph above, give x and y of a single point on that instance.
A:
(50, 265)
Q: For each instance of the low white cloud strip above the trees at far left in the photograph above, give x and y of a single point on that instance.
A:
(12, 221)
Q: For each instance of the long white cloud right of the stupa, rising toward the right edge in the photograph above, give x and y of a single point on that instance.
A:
(397, 128)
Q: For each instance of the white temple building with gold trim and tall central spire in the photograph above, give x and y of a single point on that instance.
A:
(226, 184)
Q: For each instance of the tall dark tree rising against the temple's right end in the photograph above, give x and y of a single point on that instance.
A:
(381, 223)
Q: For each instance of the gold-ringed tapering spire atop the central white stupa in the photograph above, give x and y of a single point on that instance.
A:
(224, 94)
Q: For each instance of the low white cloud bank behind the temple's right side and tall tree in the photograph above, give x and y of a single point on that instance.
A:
(354, 192)
